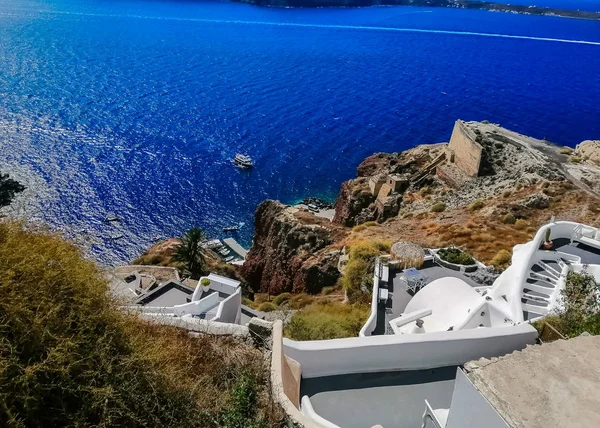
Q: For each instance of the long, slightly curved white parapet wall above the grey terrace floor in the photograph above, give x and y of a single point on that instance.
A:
(406, 352)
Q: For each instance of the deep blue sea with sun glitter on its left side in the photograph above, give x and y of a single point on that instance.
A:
(135, 107)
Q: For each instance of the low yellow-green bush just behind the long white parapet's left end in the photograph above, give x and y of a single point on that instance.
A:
(321, 321)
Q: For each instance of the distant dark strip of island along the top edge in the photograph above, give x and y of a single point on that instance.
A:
(462, 4)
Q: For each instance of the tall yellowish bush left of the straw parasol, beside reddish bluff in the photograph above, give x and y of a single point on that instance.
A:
(358, 275)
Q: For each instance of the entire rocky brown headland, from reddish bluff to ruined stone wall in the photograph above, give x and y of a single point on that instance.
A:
(522, 184)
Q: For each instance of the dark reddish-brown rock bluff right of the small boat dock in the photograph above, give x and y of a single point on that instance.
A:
(286, 255)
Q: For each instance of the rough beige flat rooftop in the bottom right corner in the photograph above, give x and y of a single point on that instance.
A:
(552, 385)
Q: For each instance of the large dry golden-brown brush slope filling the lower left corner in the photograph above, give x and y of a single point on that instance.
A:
(70, 357)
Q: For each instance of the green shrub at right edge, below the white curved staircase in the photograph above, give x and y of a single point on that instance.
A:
(580, 307)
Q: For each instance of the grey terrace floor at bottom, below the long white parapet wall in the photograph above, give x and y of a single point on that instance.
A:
(391, 399)
